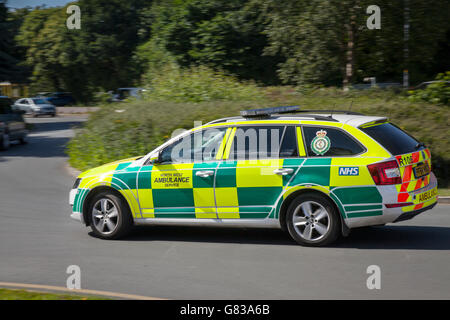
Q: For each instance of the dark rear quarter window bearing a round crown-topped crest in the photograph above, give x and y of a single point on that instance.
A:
(328, 142)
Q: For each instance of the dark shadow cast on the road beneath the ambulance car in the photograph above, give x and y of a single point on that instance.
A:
(394, 237)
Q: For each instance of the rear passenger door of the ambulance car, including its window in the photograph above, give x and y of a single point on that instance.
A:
(260, 162)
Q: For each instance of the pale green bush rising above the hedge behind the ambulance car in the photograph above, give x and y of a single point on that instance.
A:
(198, 84)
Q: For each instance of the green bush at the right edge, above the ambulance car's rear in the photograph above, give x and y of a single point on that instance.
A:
(438, 92)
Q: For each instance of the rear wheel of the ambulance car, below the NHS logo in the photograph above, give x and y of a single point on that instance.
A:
(312, 220)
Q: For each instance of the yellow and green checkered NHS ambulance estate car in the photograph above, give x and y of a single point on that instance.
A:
(315, 174)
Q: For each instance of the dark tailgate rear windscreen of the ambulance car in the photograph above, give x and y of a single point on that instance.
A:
(394, 139)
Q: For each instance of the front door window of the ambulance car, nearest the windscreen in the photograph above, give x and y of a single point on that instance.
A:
(201, 145)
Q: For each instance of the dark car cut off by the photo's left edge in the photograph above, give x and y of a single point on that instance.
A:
(12, 125)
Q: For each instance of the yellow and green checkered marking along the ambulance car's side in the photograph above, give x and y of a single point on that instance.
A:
(245, 189)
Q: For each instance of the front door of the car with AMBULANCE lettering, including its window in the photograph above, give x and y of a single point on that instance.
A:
(182, 184)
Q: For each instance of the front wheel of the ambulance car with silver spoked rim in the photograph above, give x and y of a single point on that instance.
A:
(110, 216)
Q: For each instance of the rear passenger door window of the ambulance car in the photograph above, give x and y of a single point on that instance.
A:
(263, 142)
